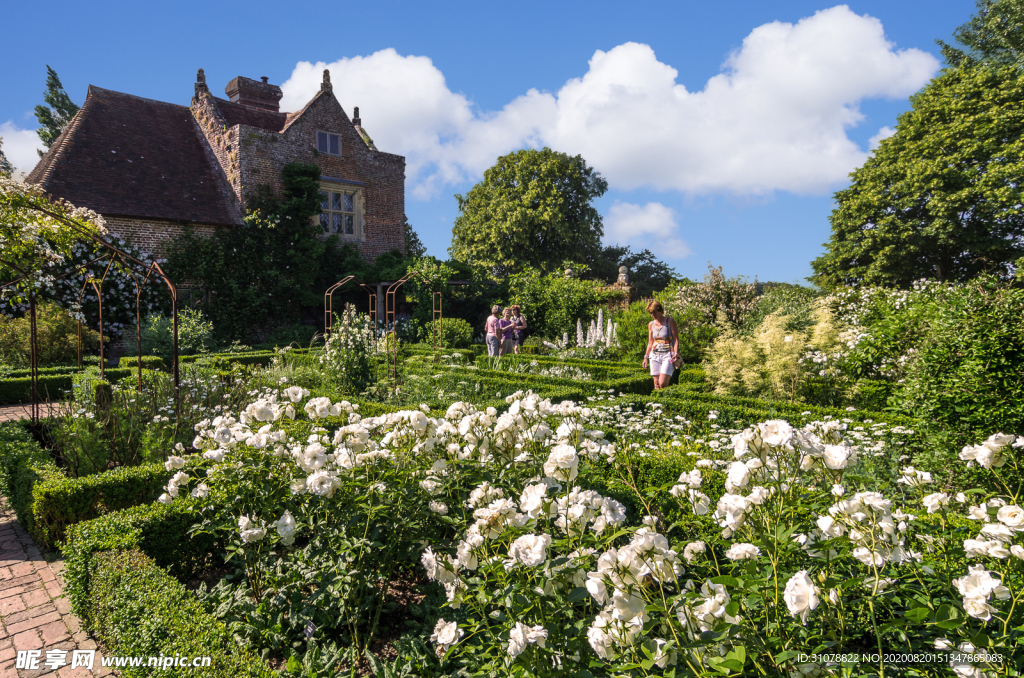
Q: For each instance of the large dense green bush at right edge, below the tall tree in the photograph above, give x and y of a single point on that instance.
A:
(968, 377)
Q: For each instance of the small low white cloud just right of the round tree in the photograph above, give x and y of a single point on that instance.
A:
(652, 227)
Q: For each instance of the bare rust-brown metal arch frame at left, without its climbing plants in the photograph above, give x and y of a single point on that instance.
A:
(125, 258)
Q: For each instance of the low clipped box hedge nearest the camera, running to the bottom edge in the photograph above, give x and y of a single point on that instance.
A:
(116, 581)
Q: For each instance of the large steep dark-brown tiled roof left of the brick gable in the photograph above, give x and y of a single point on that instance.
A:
(127, 156)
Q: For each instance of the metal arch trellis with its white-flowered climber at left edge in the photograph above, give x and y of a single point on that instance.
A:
(26, 214)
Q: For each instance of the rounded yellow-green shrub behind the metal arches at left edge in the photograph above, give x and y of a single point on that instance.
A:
(57, 334)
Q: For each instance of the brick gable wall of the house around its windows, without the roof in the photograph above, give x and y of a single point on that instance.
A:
(381, 177)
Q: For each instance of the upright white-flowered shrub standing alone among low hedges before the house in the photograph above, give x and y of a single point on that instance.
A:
(349, 352)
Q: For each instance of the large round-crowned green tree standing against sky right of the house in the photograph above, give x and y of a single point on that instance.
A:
(532, 210)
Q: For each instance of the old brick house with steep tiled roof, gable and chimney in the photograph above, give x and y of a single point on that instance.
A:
(153, 168)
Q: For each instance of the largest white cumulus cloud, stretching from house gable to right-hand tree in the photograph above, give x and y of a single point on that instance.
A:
(775, 119)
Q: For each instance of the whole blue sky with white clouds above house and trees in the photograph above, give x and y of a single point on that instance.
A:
(723, 129)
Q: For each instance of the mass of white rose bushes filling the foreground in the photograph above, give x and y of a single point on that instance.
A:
(785, 544)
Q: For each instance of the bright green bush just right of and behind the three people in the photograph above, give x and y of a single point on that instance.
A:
(552, 304)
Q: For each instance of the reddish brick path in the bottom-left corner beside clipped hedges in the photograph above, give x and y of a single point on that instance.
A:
(34, 614)
